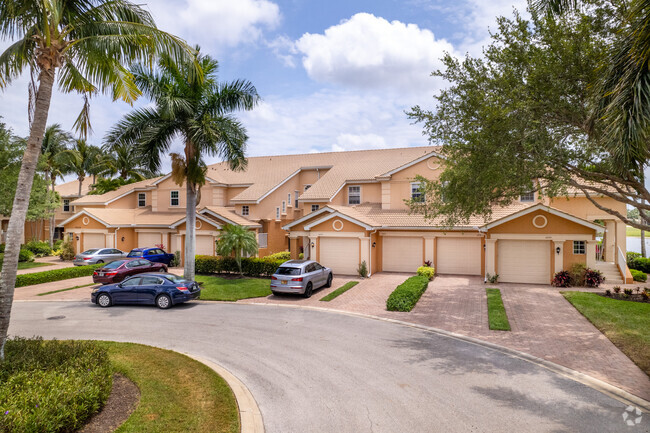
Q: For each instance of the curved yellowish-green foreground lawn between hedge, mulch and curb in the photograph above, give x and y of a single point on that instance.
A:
(177, 393)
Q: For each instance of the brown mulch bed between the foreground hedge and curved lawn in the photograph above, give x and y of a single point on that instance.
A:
(122, 401)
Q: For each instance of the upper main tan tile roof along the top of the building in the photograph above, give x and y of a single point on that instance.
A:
(265, 172)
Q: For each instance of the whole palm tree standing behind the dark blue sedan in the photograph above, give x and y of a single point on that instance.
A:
(196, 112)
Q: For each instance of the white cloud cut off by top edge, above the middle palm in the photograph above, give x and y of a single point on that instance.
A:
(224, 23)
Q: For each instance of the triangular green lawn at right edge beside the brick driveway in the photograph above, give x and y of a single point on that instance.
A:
(625, 323)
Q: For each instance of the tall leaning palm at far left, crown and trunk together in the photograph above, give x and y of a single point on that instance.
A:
(86, 47)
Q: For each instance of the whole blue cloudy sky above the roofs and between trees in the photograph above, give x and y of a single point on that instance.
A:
(335, 75)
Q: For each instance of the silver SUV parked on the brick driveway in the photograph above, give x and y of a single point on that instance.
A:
(300, 277)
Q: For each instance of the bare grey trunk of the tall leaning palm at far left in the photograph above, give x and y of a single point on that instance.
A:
(16, 228)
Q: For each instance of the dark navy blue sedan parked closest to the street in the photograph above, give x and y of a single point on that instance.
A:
(160, 289)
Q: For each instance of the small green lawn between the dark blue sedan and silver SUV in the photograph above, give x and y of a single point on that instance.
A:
(222, 289)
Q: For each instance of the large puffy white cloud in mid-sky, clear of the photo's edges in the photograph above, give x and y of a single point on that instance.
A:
(370, 52)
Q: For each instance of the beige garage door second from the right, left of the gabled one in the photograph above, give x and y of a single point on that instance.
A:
(458, 256)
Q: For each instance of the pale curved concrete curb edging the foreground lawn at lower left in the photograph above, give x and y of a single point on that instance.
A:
(250, 416)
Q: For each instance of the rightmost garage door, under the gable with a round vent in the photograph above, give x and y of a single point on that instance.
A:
(524, 261)
